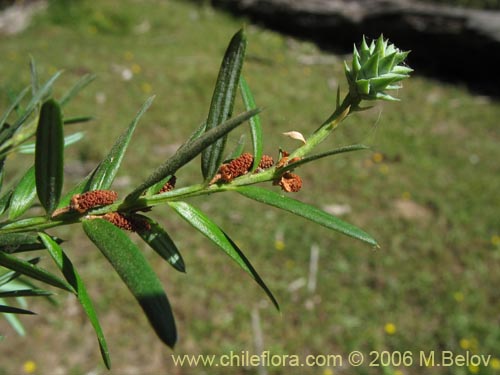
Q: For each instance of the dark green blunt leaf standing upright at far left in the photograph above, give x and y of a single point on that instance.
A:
(49, 155)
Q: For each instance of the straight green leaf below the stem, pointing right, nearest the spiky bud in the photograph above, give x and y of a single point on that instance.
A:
(306, 211)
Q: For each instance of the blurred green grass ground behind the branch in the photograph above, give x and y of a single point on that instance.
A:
(427, 192)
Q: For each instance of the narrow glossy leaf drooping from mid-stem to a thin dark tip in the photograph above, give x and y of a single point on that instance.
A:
(203, 224)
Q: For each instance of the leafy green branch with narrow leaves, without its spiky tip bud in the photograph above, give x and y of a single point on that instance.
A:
(105, 224)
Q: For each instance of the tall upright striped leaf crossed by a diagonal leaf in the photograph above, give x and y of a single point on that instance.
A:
(222, 103)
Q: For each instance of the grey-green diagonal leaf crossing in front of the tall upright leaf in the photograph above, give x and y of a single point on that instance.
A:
(189, 151)
